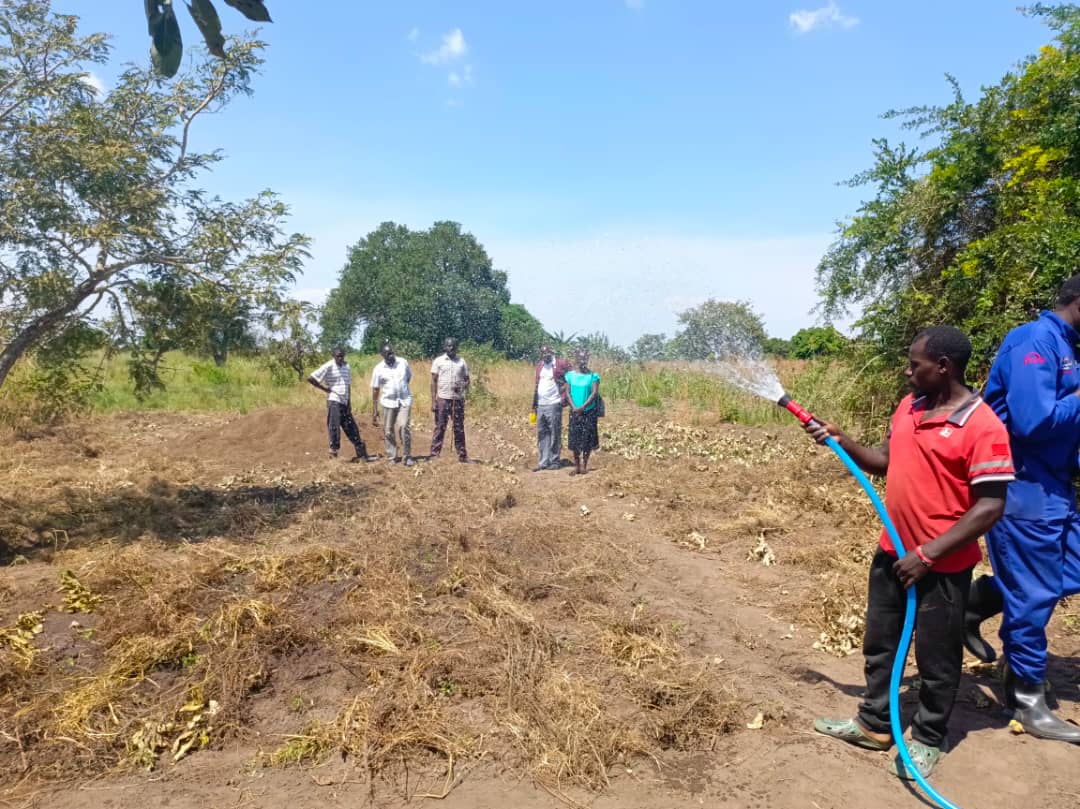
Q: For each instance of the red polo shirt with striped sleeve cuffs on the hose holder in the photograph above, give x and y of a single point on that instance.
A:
(933, 468)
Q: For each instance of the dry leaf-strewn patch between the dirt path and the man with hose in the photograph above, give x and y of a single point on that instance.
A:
(759, 494)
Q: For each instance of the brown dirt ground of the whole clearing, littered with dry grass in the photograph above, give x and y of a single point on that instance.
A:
(672, 530)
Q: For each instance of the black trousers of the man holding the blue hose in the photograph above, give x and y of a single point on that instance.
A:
(939, 646)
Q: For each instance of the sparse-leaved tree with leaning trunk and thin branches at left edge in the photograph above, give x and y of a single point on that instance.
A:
(100, 203)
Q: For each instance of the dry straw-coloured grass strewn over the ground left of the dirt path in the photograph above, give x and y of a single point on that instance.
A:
(450, 625)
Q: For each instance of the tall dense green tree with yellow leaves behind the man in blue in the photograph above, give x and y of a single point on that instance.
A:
(981, 225)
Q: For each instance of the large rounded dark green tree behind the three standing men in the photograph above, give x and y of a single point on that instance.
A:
(423, 287)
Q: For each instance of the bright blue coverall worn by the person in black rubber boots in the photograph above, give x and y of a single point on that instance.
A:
(1035, 548)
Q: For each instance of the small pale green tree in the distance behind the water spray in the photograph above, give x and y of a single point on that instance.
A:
(720, 328)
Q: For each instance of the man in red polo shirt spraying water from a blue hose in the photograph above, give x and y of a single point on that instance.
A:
(947, 464)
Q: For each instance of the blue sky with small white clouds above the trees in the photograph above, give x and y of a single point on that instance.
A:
(622, 160)
